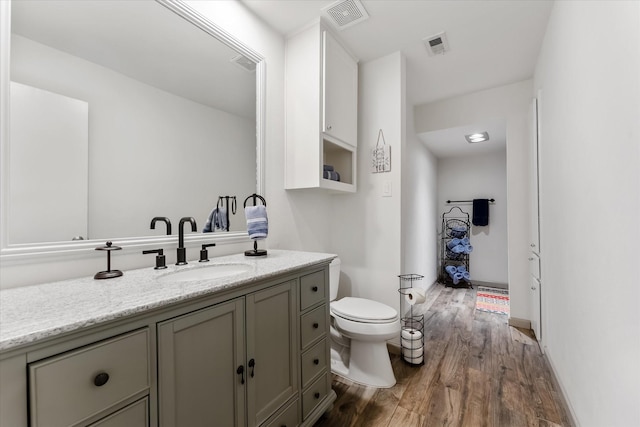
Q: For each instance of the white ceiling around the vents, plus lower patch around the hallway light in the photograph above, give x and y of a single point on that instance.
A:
(492, 43)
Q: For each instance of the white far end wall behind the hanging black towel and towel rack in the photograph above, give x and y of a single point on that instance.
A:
(480, 176)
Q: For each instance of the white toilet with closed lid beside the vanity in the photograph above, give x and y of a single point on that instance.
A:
(359, 331)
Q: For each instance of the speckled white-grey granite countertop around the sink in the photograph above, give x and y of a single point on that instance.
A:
(32, 313)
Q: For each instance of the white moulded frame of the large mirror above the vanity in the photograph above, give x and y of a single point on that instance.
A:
(30, 252)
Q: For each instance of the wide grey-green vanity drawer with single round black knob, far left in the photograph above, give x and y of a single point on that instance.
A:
(72, 387)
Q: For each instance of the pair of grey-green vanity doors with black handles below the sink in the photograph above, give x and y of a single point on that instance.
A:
(231, 362)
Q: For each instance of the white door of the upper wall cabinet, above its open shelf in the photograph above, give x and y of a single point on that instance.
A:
(340, 89)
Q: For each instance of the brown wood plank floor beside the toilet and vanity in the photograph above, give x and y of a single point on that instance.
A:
(478, 371)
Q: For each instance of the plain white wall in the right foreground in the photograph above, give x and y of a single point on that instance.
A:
(589, 74)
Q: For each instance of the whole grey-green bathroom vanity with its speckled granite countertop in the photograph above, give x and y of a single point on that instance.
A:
(243, 342)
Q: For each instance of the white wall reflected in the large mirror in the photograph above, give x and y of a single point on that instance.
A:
(151, 153)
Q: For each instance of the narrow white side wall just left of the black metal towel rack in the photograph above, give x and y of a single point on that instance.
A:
(419, 207)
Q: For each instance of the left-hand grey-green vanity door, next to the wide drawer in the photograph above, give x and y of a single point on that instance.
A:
(198, 359)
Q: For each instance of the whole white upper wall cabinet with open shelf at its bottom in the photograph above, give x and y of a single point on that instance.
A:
(321, 109)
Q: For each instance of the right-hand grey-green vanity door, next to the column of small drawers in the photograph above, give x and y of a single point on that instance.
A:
(271, 349)
